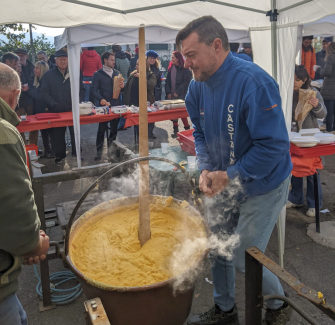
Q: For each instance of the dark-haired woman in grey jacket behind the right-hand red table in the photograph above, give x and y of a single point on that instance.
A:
(302, 80)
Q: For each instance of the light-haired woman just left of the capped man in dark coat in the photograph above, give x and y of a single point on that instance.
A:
(39, 106)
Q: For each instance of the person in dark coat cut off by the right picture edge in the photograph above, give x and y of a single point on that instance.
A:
(328, 88)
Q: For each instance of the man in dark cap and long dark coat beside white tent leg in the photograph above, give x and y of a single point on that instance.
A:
(56, 91)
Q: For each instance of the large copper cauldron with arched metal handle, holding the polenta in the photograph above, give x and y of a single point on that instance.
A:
(155, 304)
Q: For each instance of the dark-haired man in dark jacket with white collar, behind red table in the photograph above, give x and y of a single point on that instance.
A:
(102, 91)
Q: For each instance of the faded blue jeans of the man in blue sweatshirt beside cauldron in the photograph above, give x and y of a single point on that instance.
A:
(253, 220)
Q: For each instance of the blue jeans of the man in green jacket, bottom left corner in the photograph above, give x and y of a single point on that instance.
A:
(12, 312)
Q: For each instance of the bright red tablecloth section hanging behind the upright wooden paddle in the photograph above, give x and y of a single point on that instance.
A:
(133, 119)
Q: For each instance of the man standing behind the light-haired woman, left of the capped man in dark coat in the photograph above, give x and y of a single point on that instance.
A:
(27, 73)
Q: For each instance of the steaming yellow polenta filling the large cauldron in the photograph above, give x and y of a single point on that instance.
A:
(106, 249)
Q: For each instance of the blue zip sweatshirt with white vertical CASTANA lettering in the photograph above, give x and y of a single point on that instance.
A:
(239, 126)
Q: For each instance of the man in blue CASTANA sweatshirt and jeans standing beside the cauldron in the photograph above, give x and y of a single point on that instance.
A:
(240, 133)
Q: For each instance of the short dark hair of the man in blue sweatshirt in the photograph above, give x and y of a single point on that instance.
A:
(207, 28)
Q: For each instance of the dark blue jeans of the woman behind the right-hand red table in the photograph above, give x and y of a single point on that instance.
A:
(296, 195)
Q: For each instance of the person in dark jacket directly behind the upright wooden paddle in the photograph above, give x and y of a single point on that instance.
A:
(132, 95)
